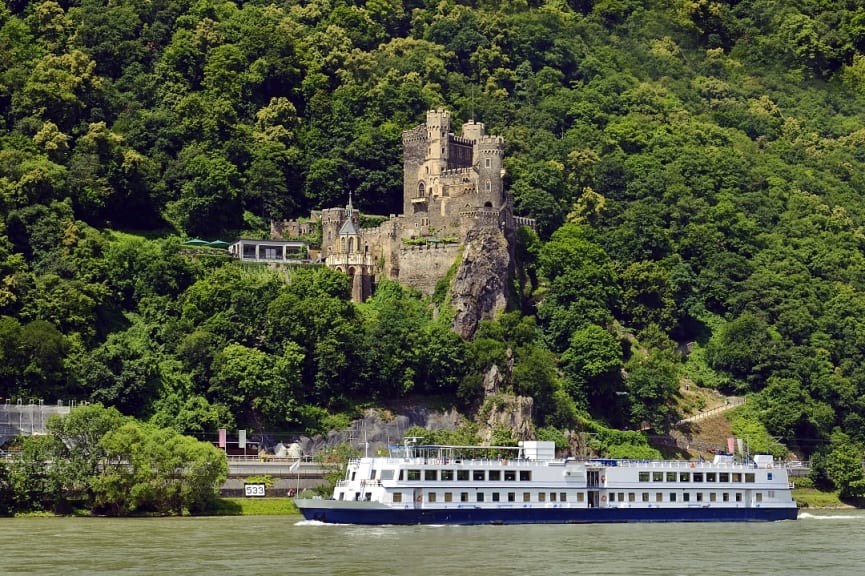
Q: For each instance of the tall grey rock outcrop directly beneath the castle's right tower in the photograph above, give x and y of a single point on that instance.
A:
(480, 286)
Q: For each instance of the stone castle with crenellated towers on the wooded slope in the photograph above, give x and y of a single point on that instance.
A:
(451, 185)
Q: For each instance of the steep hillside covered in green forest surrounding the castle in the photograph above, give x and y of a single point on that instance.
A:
(695, 167)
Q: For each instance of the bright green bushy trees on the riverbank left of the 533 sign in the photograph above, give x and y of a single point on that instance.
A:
(97, 459)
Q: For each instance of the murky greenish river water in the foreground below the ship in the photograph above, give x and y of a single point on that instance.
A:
(828, 543)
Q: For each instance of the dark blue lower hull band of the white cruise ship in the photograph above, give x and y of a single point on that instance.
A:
(545, 515)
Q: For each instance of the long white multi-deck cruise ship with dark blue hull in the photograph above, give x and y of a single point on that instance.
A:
(424, 484)
